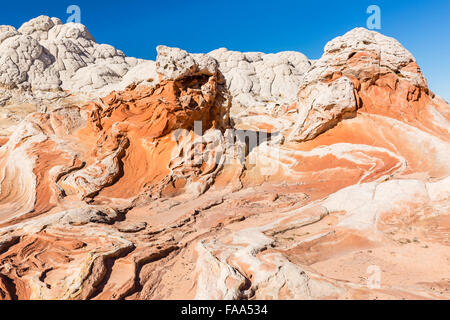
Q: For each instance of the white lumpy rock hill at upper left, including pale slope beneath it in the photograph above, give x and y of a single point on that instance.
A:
(46, 65)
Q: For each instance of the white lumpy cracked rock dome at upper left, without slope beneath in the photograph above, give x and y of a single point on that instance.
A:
(46, 55)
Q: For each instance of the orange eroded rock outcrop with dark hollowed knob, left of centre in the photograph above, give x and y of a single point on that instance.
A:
(89, 147)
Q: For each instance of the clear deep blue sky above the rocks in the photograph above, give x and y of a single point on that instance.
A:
(137, 27)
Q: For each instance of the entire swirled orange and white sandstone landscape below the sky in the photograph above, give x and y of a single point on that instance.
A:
(224, 175)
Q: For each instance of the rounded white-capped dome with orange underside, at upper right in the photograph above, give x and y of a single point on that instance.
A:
(361, 68)
